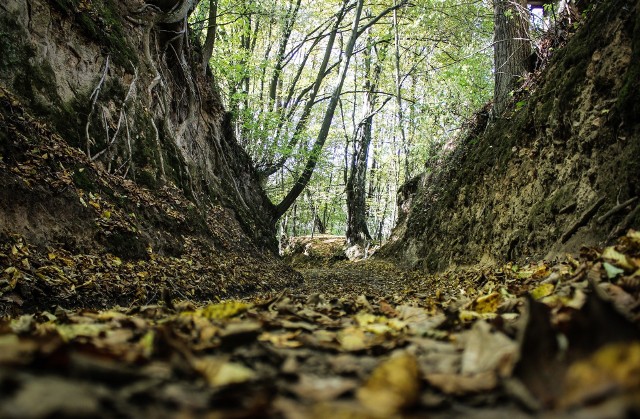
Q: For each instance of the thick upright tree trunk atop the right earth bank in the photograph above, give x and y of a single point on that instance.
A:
(512, 49)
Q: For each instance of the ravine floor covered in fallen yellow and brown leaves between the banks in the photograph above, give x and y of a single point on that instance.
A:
(354, 340)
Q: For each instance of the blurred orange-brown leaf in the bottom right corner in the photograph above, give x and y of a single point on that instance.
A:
(614, 369)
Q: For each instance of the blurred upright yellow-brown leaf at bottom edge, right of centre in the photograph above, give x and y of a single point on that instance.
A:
(393, 385)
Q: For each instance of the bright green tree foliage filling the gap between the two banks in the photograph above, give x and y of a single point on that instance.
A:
(445, 75)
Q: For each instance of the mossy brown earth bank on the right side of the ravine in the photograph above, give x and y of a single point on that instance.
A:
(549, 177)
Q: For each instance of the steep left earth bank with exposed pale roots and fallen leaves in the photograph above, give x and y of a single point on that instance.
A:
(116, 165)
